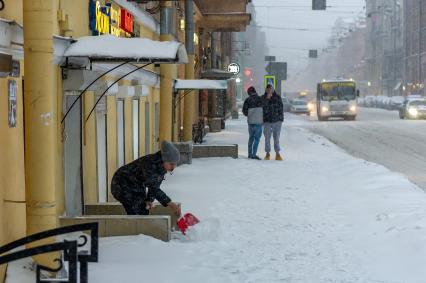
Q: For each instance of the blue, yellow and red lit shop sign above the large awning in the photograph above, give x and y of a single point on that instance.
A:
(109, 19)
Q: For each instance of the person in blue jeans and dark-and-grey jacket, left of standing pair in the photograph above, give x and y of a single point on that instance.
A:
(253, 109)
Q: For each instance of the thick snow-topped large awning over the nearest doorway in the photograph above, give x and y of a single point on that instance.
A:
(108, 48)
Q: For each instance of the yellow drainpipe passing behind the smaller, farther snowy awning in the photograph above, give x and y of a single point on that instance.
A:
(189, 102)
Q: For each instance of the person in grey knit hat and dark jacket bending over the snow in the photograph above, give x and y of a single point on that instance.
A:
(137, 184)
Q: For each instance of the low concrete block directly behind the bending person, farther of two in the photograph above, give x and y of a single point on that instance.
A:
(115, 208)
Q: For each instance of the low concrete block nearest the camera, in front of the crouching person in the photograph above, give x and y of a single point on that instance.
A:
(157, 226)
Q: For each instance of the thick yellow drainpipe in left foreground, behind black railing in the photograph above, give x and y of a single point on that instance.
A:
(41, 119)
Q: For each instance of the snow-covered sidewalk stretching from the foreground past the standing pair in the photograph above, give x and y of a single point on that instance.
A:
(318, 216)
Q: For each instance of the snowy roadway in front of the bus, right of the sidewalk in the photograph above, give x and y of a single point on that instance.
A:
(380, 136)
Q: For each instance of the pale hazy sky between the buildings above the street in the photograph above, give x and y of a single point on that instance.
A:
(283, 16)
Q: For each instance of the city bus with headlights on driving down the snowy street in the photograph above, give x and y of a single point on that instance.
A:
(337, 98)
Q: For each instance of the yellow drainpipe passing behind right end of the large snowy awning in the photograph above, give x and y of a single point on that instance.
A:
(168, 73)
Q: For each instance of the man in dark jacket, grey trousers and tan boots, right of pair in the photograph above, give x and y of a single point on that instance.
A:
(273, 117)
